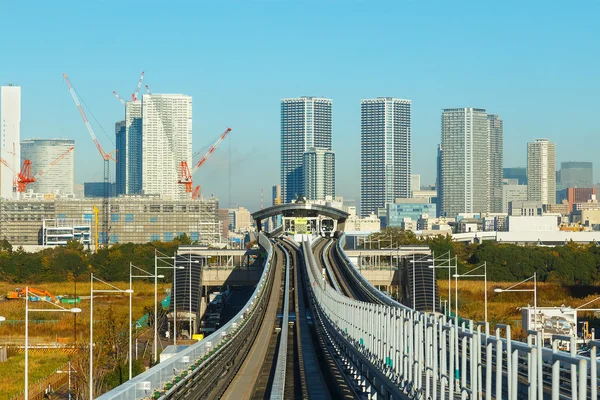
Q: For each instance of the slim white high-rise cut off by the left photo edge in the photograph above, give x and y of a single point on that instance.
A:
(10, 137)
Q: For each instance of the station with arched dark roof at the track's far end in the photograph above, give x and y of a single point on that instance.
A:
(305, 218)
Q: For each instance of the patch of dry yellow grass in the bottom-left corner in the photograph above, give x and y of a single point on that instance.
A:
(13, 371)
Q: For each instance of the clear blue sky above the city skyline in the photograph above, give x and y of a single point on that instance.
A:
(536, 64)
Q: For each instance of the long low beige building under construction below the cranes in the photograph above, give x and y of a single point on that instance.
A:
(132, 219)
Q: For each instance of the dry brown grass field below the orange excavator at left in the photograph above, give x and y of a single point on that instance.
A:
(60, 324)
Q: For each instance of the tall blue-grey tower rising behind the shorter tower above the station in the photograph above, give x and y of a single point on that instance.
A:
(305, 123)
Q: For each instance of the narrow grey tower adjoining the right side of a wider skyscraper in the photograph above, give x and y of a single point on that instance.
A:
(495, 137)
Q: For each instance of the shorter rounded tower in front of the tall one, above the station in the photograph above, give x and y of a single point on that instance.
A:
(318, 168)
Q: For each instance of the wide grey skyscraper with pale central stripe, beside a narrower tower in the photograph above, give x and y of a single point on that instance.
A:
(465, 187)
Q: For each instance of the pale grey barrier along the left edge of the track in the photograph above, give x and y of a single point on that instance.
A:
(166, 377)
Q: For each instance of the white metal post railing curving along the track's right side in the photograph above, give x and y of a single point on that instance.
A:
(418, 354)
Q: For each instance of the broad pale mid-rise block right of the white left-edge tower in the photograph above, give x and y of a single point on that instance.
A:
(52, 164)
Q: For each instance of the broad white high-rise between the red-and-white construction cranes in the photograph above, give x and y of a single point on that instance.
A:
(166, 142)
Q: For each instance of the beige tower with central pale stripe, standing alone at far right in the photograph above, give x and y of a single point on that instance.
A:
(541, 171)
